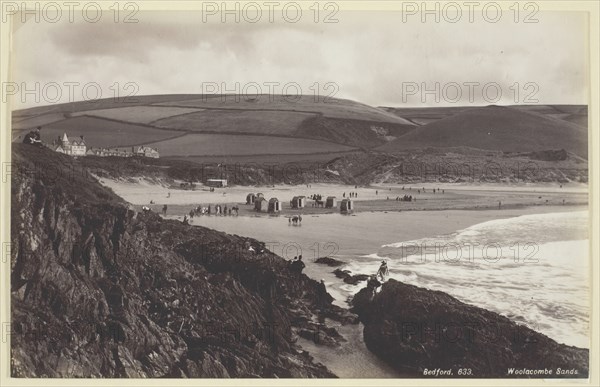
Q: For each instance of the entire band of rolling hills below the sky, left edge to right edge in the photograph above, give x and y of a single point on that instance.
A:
(302, 128)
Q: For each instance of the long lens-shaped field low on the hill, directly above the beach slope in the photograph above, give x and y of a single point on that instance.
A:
(221, 145)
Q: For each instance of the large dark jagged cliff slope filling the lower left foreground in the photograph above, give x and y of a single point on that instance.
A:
(98, 290)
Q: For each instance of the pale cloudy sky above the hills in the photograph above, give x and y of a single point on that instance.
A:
(375, 58)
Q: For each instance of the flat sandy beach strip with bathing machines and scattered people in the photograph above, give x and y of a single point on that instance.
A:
(374, 198)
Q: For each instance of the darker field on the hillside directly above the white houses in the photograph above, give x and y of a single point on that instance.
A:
(104, 133)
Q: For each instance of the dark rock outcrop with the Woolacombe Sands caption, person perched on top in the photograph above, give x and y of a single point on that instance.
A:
(418, 330)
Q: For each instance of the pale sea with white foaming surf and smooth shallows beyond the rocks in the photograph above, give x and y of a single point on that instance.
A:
(532, 268)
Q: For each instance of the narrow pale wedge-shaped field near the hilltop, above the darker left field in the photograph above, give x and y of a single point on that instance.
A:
(137, 114)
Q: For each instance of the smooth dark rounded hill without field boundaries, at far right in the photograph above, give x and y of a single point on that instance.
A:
(497, 128)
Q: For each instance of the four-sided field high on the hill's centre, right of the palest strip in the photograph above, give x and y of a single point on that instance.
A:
(238, 121)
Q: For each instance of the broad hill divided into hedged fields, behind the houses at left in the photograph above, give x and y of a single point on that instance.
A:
(285, 125)
